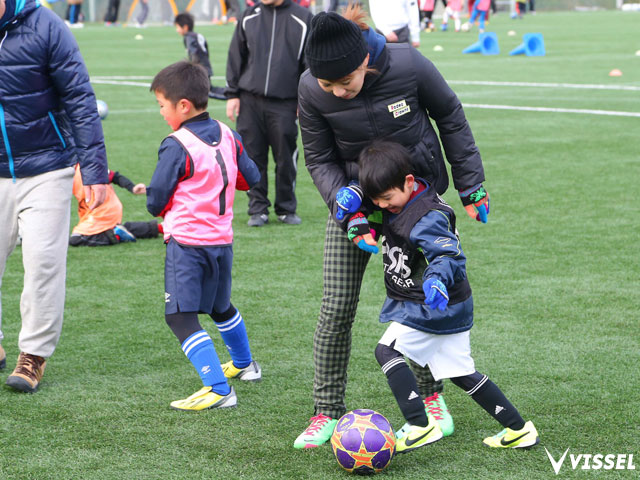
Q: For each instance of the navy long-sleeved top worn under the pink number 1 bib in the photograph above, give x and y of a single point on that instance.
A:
(173, 159)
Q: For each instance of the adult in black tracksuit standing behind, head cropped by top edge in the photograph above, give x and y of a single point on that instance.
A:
(266, 59)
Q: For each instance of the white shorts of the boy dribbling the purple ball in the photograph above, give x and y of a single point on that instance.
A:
(448, 356)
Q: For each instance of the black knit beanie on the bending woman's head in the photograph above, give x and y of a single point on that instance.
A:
(335, 46)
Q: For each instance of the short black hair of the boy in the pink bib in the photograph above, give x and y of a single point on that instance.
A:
(183, 80)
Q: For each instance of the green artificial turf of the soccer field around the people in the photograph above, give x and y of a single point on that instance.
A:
(554, 272)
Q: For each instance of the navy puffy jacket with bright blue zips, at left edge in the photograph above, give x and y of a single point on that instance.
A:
(48, 112)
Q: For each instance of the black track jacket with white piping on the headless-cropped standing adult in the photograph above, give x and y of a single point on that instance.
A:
(266, 55)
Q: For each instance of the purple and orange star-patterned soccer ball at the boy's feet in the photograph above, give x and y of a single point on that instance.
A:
(363, 442)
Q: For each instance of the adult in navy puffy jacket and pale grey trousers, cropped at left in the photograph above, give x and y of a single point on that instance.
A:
(48, 123)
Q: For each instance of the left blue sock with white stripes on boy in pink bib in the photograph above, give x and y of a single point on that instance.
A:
(200, 351)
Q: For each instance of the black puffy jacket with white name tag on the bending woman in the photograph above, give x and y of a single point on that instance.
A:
(396, 104)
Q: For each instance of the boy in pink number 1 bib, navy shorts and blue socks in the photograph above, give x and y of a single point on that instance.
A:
(199, 167)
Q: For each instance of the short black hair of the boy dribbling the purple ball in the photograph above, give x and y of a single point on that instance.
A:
(384, 165)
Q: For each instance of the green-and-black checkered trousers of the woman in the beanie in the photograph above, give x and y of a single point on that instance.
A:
(343, 269)
